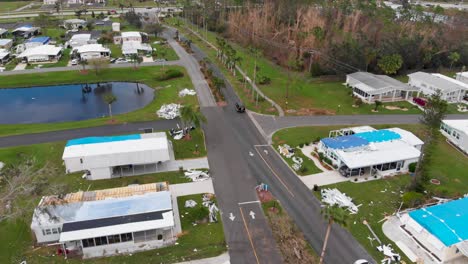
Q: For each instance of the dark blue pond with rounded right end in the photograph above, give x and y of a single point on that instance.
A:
(73, 102)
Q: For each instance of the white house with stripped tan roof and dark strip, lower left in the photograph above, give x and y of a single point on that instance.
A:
(106, 222)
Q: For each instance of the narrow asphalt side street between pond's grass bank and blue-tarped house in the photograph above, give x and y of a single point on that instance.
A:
(63, 135)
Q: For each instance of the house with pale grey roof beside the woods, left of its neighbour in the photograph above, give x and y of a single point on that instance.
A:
(371, 87)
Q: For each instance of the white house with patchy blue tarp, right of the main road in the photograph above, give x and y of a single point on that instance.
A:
(367, 151)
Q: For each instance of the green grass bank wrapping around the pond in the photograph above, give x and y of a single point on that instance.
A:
(167, 92)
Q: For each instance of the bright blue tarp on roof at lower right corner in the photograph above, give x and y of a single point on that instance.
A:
(448, 222)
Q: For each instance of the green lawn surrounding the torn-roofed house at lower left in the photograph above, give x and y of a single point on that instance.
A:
(207, 238)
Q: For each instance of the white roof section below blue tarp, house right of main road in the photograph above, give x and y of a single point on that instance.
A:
(378, 153)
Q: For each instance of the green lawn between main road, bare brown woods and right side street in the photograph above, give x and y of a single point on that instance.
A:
(306, 95)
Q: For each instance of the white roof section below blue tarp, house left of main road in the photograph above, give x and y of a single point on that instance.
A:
(147, 142)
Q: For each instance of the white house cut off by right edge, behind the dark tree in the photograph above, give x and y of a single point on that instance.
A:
(452, 90)
